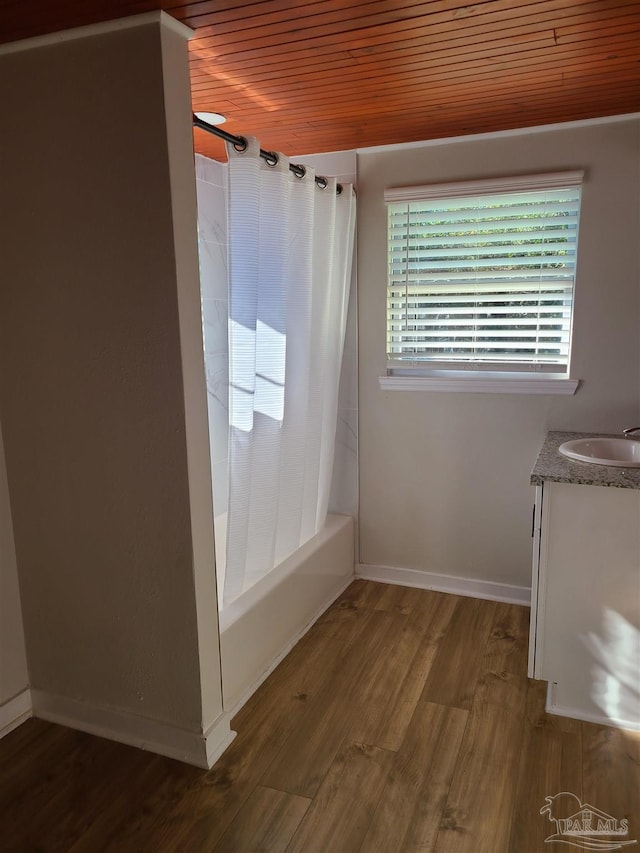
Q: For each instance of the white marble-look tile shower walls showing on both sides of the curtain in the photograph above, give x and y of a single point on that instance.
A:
(213, 264)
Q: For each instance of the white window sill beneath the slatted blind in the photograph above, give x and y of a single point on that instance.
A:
(481, 383)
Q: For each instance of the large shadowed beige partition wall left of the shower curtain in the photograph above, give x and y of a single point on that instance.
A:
(101, 376)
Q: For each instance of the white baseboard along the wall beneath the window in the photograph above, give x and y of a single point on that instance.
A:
(446, 583)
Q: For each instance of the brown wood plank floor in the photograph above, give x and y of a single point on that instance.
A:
(403, 721)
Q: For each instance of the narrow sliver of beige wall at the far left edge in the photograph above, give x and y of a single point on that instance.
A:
(14, 677)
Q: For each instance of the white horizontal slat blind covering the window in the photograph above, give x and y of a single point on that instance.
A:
(481, 274)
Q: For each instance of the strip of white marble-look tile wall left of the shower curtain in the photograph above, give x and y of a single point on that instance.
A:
(212, 234)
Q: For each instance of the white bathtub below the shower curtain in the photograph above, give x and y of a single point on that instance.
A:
(264, 623)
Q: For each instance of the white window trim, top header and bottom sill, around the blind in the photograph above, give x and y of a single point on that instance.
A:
(479, 380)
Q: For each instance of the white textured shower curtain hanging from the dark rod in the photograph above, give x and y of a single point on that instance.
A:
(290, 253)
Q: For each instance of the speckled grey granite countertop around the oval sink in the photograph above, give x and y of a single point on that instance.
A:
(552, 465)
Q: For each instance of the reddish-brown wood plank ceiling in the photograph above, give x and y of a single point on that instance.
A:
(338, 74)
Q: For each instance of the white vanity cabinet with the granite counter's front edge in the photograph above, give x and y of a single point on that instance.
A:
(585, 607)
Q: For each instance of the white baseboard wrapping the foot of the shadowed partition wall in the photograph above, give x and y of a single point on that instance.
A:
(196, 748)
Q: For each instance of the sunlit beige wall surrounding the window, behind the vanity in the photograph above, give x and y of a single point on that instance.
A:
(444, 477)
